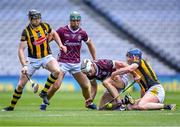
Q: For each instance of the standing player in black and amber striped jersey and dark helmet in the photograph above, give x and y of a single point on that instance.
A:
(35, 36)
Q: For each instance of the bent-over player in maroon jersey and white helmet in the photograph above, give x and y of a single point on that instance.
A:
(101, 70)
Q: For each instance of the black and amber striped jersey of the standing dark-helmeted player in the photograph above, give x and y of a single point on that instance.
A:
(37, 42)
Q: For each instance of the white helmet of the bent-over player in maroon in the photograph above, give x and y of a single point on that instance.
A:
(86, 65)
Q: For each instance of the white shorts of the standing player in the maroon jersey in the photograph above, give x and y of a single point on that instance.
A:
(72, 68)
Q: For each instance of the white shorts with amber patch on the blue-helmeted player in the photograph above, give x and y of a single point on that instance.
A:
(158, 91)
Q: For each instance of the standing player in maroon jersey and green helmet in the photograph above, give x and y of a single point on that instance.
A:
(72, 36)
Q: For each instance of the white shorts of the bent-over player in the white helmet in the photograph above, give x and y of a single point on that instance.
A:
(127, 79)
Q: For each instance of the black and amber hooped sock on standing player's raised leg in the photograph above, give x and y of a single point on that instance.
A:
(50, 80)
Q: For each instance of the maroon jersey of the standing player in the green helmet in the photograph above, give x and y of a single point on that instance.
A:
(73, 41)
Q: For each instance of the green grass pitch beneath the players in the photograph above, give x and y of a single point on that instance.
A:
(67, 109)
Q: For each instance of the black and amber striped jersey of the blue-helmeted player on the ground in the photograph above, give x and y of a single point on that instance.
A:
(148, 76)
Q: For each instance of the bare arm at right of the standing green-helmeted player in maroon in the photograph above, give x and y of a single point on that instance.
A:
(91, 48)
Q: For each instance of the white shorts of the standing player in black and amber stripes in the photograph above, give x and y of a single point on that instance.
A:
(35, 64)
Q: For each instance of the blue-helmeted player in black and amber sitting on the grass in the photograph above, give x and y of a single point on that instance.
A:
(152, 91)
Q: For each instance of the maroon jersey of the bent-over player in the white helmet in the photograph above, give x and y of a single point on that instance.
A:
(104, 68)
